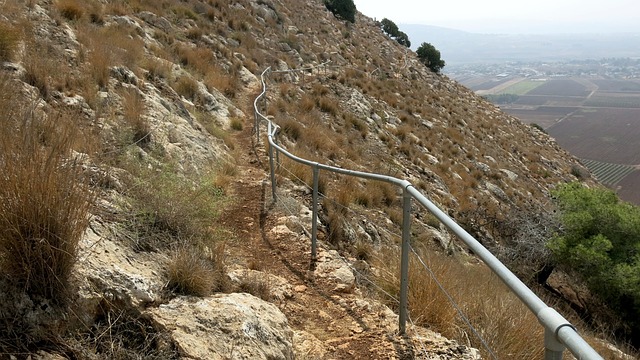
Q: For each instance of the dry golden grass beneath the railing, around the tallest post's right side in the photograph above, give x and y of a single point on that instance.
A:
(505, 324)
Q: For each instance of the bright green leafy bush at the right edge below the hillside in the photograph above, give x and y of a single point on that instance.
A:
(600, 240)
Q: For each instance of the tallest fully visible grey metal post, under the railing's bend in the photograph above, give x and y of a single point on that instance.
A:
(404, 261)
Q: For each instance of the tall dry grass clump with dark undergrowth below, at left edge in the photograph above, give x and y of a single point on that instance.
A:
(45, 205)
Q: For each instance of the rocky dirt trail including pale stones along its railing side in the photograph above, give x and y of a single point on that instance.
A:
(328, 313)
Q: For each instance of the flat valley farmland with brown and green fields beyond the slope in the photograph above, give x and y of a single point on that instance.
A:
(596, 119)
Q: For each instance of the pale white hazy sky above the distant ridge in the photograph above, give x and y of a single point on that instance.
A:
(511, 16)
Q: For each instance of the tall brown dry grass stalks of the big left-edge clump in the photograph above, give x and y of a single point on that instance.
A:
(44, 204)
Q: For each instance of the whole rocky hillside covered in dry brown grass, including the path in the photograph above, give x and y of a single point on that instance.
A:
(134, 213)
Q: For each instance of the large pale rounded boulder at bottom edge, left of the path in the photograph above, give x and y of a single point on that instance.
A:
(226, 326)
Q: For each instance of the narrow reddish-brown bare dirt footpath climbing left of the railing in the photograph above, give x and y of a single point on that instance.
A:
(346, 330)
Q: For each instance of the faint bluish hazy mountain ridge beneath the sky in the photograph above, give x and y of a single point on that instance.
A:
(461, 47)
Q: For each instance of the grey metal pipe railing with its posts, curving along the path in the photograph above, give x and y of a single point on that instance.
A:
(559, 333)
